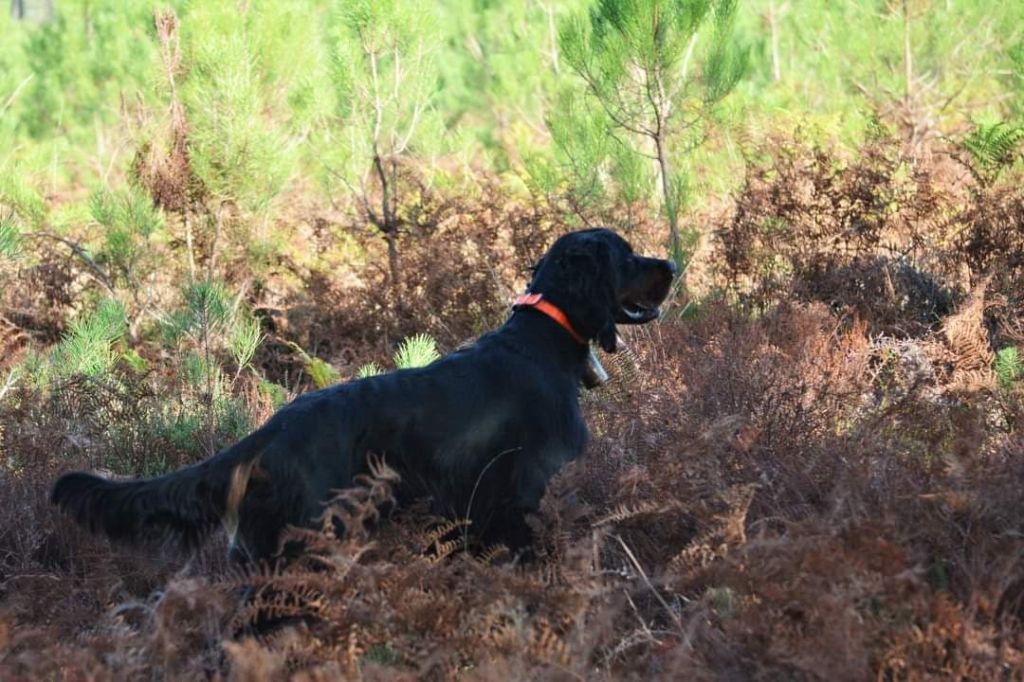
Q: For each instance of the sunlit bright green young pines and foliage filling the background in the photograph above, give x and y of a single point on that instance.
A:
(288, 104)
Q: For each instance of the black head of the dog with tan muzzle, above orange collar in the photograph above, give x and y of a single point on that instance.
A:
(594, 277)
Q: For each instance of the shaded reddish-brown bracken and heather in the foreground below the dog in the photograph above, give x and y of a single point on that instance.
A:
(767, 491)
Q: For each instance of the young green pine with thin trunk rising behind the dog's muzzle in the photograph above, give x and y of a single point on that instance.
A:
(638, 61)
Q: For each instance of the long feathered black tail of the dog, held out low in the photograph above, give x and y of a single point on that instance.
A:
(181, 508)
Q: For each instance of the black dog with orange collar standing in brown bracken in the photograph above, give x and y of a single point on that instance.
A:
(482, 432)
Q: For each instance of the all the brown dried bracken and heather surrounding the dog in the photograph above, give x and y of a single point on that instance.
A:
(829, 489)
